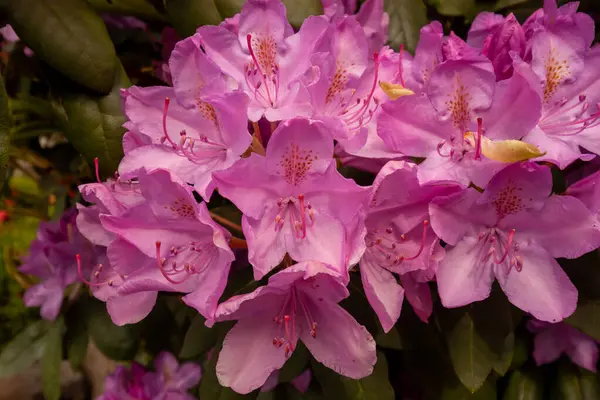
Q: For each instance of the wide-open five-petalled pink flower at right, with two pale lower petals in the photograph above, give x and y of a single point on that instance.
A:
(513, 232)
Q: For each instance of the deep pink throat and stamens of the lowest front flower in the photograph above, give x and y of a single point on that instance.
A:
(293, 304)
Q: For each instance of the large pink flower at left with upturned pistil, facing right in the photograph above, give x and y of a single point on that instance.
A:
(169, 243)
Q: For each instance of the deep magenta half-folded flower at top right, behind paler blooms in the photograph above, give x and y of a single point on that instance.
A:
(500, 37)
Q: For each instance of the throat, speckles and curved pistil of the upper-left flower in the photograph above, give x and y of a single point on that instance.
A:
(198, 150)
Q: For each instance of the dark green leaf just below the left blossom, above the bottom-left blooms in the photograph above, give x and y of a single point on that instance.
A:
(116, 342)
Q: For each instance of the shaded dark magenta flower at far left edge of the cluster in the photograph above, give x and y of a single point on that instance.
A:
(52, 259)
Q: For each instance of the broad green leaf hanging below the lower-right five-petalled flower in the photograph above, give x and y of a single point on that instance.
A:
(479, 337)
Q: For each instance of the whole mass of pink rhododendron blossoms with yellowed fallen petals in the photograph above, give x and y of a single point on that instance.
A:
(462, 137)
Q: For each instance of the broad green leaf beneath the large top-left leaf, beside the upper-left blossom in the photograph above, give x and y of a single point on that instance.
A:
(93, 124)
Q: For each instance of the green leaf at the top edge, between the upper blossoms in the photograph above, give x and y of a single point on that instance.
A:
(406, 19)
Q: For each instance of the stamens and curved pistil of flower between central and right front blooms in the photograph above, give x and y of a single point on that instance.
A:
(387, 247)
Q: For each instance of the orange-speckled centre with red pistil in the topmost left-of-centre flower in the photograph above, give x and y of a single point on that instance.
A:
(262, 72)
